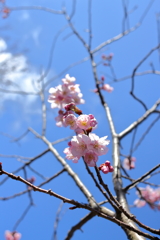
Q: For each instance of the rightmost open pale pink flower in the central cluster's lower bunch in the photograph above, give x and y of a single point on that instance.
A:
(98, 145)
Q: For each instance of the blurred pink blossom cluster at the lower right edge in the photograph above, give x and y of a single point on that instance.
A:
(150, 196)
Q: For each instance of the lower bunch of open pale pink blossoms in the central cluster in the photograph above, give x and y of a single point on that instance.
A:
(87, 146)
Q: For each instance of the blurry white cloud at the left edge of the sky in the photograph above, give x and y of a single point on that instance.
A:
(16, 75)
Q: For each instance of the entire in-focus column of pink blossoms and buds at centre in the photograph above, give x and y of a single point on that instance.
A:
(85, 144)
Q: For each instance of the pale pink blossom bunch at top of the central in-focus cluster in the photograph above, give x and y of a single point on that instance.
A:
(65, 93)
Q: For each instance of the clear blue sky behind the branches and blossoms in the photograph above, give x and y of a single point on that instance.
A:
(31, 33)
